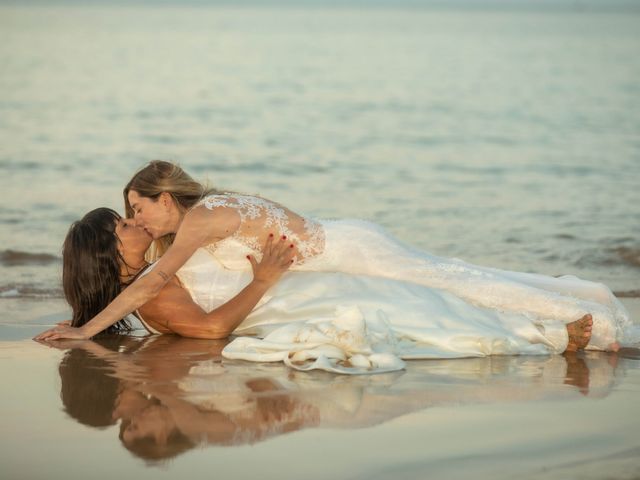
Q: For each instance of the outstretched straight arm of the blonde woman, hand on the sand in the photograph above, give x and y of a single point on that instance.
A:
(198, 228)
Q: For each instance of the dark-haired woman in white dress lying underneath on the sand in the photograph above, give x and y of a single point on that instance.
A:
(309, 320)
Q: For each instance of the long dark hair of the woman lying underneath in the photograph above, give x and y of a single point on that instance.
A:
(91, 267)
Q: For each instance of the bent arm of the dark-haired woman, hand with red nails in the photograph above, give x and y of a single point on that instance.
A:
(174, 310)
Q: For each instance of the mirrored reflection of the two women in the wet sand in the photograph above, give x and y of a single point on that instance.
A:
(171, 394)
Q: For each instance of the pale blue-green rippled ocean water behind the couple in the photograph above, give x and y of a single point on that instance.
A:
(505, 137)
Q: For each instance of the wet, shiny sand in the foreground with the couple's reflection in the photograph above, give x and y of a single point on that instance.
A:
(166, 407)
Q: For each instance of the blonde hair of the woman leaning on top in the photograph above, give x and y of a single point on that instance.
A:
(158, 177)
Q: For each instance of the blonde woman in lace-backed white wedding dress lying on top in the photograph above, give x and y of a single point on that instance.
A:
(177, 211)
